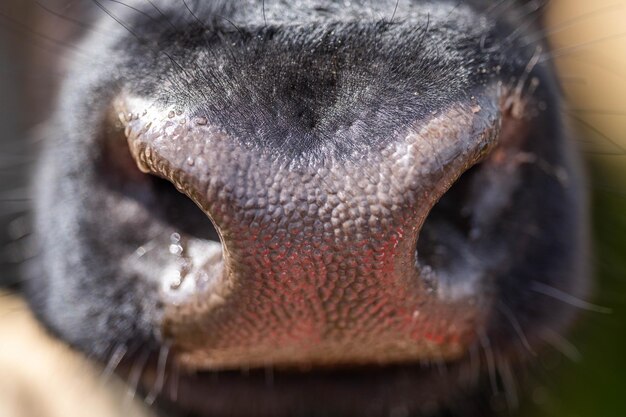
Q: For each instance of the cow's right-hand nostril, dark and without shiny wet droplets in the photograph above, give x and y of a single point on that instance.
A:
(464, 238)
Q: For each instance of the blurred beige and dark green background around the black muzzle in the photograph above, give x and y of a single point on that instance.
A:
(583, 376)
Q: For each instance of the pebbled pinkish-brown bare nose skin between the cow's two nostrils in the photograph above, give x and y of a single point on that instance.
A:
(318, 255)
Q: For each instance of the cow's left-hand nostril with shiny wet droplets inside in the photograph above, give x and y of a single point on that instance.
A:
(180, 249)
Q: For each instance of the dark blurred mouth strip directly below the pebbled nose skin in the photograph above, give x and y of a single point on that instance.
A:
(366, 390)
